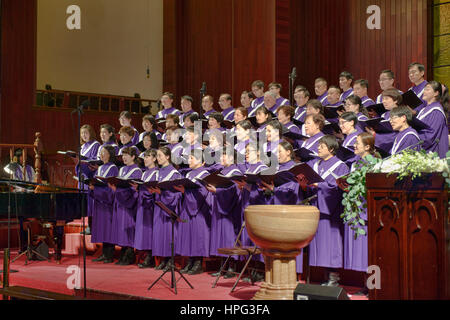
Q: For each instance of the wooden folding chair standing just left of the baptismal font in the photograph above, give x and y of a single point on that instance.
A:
(237, 250)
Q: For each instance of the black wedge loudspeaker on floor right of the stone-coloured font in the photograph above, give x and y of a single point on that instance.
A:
(318, 292)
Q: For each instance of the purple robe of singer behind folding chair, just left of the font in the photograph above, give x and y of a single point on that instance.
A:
(226, 214)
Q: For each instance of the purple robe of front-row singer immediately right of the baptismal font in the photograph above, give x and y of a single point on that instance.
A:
(326, 248)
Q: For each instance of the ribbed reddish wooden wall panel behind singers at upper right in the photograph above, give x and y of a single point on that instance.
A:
(331, 36)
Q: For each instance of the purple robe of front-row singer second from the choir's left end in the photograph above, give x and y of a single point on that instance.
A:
(103, 207)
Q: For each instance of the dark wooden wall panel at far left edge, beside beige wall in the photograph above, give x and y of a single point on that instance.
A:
(18, 69)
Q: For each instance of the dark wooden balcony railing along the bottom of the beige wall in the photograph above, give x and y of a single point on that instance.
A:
(58, 99)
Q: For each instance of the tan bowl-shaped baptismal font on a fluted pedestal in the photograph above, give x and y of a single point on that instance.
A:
(280, 232)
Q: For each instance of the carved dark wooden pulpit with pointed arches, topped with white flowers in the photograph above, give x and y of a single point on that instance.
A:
(409, 236)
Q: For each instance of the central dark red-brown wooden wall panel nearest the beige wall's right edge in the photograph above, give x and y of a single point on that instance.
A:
(227, 44)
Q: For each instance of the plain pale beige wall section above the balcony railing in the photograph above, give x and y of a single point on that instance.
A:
(109, 55)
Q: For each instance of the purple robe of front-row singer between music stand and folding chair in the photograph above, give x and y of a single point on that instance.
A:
(193, 237)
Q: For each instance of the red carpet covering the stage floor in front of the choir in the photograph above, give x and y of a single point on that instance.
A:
(128, 280)
